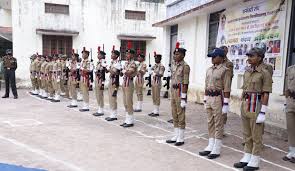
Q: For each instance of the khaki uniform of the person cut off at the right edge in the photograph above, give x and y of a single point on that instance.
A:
(290, 104)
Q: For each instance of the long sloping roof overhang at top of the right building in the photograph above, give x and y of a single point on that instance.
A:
(207, 8)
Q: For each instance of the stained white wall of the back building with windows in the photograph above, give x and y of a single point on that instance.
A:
(98, 22)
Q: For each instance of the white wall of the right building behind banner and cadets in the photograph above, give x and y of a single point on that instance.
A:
(194, 33)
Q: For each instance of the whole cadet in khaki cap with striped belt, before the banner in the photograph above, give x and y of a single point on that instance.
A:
(257, 84)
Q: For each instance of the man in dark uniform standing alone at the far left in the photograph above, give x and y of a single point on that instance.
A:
(10, 65)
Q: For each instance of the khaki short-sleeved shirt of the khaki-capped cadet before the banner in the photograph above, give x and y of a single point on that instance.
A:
(257, 80)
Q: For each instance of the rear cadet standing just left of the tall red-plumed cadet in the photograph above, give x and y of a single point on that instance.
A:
(158, 72)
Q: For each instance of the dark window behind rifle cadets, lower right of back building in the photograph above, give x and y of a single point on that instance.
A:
(136, 45)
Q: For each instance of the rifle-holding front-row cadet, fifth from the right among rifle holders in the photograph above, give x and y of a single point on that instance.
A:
(74, 78)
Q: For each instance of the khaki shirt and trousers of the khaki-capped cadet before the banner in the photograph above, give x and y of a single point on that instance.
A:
(255, 83)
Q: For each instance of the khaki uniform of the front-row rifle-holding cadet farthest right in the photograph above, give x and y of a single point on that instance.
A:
(128, 86)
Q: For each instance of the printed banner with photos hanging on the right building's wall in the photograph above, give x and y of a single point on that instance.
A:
(250, 25)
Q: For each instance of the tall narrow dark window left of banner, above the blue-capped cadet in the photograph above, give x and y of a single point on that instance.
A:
(213, 29)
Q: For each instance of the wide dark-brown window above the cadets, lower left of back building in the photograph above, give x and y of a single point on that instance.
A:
(57, 44)
